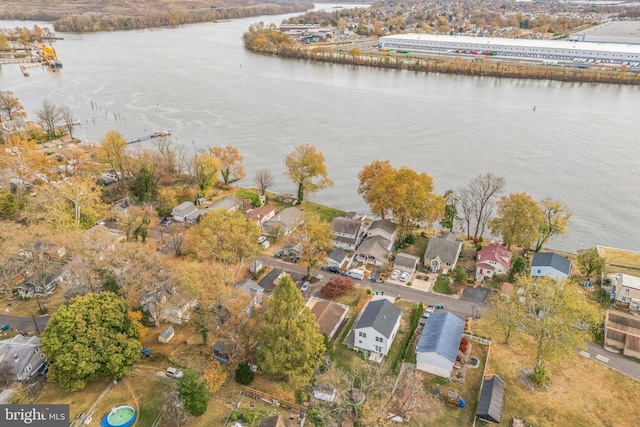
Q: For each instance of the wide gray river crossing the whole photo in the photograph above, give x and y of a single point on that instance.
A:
(578, 146)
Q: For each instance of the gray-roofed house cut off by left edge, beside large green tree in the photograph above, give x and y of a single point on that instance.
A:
(20, 358)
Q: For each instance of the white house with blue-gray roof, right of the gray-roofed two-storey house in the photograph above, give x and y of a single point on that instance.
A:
(439, 342)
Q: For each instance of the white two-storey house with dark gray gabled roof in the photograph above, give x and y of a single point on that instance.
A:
(376, 327)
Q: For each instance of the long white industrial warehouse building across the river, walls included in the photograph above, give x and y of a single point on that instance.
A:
(545, 50)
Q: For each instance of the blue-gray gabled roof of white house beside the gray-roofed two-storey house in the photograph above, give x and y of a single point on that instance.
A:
(441, 334)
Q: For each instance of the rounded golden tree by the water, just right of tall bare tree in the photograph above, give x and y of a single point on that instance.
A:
(518, 220)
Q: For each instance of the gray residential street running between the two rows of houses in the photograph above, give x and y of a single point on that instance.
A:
(469, 302)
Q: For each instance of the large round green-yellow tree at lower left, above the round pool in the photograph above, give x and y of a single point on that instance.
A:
(91, 337)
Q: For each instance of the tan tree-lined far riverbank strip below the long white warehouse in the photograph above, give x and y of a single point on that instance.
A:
(479, 66)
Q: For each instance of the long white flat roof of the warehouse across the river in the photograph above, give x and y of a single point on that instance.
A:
(488, 42)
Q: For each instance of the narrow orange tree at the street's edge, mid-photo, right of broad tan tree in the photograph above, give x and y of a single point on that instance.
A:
(314, 237)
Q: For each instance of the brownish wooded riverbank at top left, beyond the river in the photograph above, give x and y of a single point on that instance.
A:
(98, 15)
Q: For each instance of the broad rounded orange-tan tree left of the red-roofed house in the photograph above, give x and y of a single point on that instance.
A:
(225, 237)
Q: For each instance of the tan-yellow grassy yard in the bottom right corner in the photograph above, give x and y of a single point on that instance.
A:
(583, 392)
